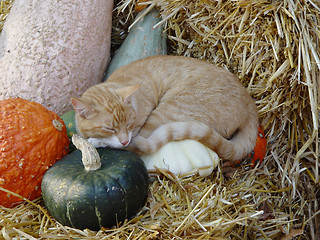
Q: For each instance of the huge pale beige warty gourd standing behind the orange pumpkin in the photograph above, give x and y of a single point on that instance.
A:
(51, 50)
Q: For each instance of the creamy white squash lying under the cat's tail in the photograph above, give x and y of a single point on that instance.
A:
(183, 158)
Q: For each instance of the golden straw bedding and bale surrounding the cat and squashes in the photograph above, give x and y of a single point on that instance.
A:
(273, 47)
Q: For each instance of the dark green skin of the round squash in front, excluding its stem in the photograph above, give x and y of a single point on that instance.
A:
(95, 199)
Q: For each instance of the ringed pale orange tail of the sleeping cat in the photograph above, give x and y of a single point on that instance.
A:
(236, 148)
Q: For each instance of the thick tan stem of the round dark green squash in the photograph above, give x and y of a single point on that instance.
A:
(90, 156)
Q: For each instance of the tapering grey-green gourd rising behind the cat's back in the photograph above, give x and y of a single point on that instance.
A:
(142, 41)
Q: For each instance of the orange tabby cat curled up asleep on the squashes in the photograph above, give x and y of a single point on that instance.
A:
(150, 102)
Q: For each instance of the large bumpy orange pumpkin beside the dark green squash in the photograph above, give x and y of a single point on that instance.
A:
(32, 138)
